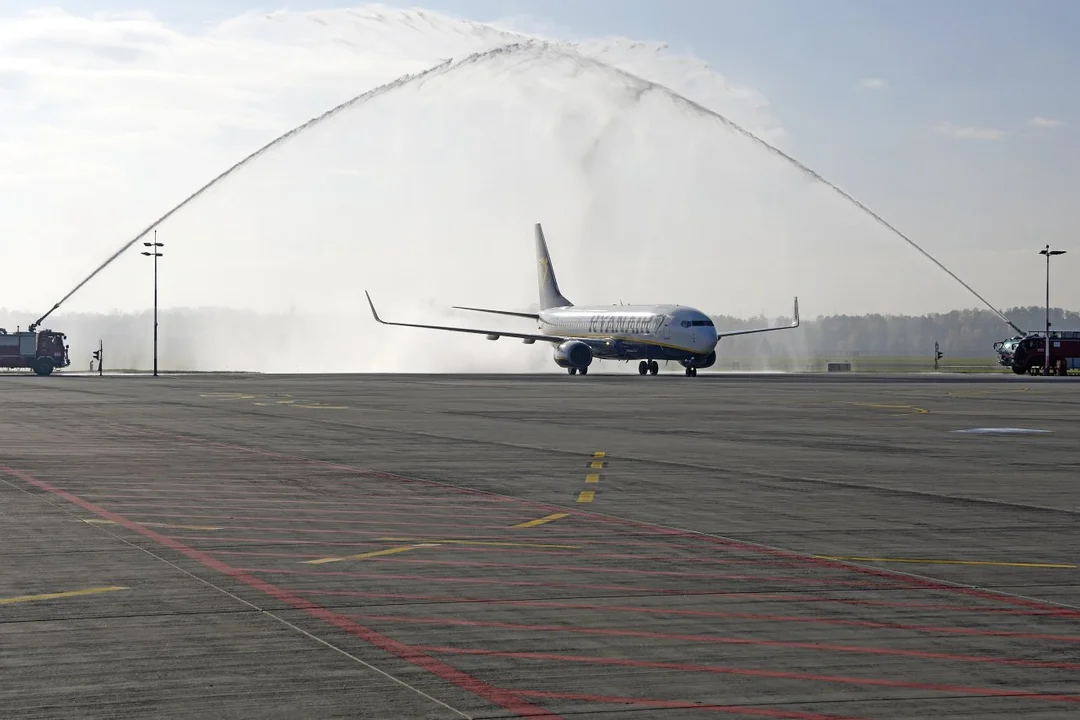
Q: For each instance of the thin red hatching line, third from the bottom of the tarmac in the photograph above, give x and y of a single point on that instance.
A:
(823, 647)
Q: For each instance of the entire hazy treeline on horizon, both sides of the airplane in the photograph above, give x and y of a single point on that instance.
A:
(197, 337)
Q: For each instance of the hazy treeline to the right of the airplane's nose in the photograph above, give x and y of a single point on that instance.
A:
(961, 334)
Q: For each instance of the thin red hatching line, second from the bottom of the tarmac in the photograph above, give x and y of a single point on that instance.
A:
(721, 670)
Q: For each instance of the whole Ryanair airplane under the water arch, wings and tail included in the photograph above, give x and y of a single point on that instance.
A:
(582, 334)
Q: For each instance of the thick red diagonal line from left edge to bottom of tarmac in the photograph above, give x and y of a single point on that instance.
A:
(410, 654)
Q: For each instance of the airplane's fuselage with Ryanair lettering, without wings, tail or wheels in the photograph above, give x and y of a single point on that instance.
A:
(670, 329)
